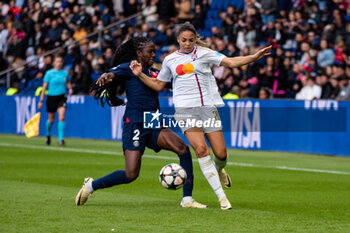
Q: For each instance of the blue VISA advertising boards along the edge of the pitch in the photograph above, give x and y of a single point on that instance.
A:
(319, 126)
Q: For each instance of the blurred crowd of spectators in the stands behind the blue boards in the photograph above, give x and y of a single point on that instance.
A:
(310, 39)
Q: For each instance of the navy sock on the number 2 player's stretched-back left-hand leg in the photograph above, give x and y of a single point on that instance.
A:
(115, 178)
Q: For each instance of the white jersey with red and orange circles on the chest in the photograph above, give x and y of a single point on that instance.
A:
(193, 82)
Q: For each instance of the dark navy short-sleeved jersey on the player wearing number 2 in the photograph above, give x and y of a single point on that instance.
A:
(140, 98)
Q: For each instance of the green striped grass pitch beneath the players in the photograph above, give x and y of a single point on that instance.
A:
(39, 184)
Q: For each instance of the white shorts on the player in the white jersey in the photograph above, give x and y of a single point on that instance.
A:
(204, 117)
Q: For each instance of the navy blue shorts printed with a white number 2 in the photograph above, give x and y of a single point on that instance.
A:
(135, 137)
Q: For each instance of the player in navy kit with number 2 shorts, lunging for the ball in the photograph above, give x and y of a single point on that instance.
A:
(135, 138)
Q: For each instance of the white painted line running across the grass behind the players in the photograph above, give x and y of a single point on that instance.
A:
(169, 158)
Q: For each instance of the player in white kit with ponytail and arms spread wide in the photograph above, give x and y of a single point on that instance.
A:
(195, 96)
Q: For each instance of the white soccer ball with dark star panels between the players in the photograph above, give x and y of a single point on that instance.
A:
(172, 176)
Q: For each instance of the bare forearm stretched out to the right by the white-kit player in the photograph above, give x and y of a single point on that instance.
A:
(233, 62)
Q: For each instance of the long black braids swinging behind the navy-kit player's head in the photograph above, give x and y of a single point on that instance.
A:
(126, 52)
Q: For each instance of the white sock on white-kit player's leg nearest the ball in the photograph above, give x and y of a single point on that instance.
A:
(212, 176)
